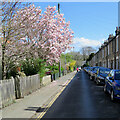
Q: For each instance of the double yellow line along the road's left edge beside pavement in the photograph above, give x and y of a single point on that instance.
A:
(52, 101)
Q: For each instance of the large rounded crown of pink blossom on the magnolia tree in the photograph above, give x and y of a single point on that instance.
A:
(47, 35)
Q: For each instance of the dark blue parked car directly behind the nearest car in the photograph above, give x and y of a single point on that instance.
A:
(102, 73)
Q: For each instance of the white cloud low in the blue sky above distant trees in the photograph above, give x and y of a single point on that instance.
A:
(82, 42)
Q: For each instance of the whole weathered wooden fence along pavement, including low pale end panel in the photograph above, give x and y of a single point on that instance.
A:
(12, 89)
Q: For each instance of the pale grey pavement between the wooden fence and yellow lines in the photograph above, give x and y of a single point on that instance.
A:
(27, 106)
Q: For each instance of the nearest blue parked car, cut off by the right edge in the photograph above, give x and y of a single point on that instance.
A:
(112, 84)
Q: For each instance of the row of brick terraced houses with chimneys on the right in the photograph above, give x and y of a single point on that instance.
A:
(108, 54)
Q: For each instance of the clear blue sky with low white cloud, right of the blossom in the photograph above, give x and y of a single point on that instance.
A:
(92, 22)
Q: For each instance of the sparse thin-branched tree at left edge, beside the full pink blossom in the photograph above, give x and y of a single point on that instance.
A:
(8, 50)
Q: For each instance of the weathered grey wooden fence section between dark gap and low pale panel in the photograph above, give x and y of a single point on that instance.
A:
(26, 85)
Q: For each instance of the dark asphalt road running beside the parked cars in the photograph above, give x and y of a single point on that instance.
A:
(82, 98)
